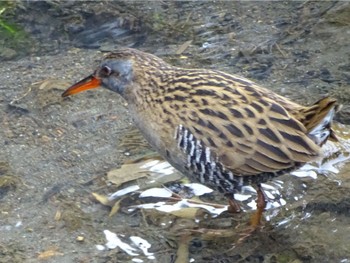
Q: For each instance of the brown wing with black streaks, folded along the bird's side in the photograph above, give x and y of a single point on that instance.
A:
(245, 130)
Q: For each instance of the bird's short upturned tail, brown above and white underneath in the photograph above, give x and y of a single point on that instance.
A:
(318, 120)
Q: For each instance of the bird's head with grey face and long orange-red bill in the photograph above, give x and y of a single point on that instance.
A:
(126, 71)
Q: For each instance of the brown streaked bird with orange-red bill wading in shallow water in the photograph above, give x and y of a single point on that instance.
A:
(219, 129)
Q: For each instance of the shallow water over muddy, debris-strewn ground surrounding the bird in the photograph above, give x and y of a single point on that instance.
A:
(57, 153)
